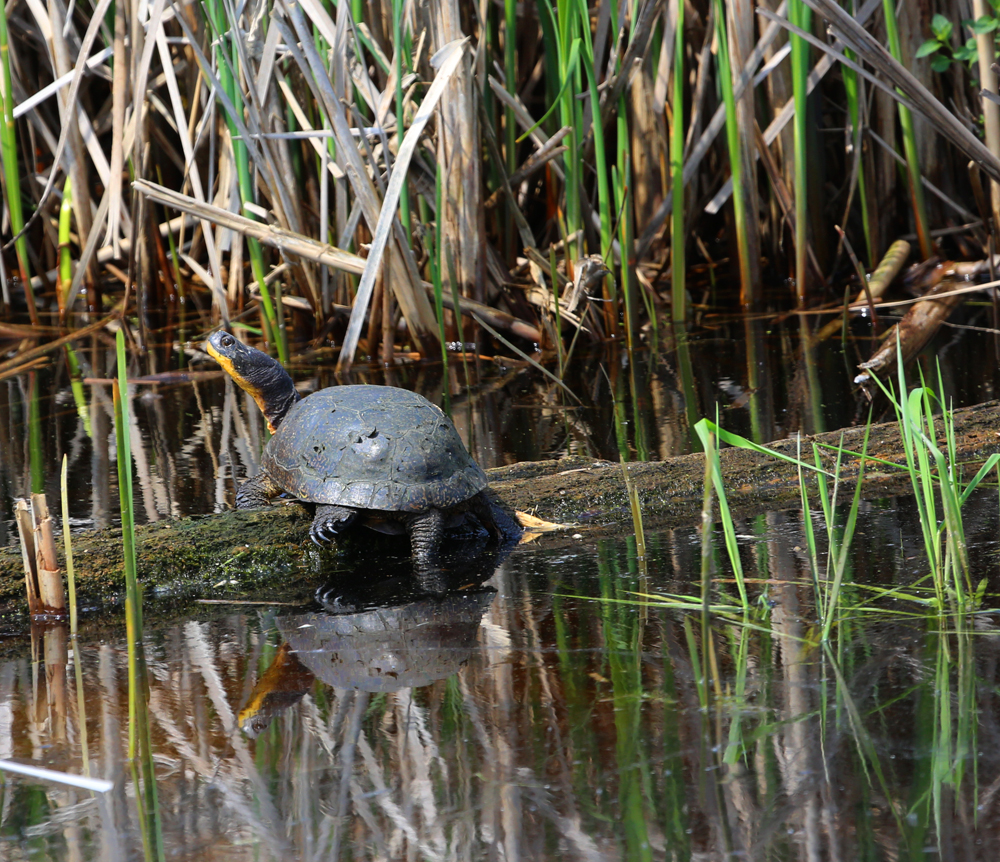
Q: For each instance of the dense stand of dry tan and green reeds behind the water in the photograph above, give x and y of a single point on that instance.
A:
(355, 174)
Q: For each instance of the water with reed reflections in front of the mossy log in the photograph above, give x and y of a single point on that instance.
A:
(545, 714)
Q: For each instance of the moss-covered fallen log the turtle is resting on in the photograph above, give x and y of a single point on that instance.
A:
(266, 554)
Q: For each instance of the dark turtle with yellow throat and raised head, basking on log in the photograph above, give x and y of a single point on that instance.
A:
(380, 456)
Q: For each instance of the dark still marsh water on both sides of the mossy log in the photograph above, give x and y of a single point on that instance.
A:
(556, 705)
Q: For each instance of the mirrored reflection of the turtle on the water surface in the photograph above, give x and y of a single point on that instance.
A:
(378, 650)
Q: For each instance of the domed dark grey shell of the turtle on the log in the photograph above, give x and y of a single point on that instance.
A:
(372, 447)
